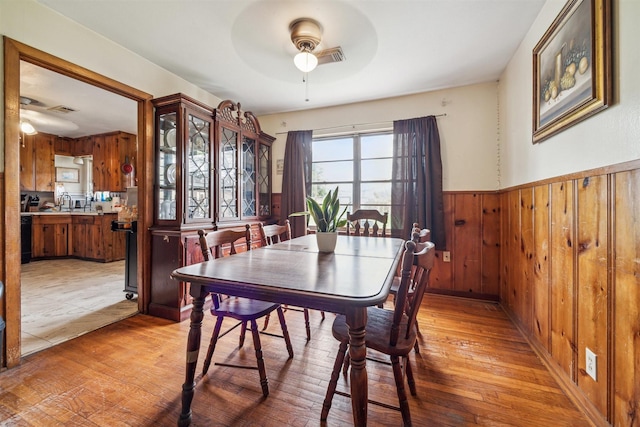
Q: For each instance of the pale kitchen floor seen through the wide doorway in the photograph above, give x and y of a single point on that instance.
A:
(65, 298)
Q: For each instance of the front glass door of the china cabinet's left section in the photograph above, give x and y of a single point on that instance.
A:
(198, 169)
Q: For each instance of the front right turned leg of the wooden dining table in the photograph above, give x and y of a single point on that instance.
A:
(356, 320)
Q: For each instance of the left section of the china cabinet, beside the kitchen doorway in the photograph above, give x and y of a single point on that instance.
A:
(183, 196)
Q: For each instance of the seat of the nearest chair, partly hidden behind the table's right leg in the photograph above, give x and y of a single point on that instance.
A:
(377, 334)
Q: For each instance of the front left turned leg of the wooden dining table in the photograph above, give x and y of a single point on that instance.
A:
(193, 348)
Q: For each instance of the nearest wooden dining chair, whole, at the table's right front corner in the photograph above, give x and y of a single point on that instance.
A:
(392, 333)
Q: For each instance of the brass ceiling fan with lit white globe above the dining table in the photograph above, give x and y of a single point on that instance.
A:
(306, 35)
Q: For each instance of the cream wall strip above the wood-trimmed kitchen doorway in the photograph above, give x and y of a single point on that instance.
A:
(38, 26)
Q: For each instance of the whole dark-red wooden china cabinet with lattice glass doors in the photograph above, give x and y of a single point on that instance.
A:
(212, 169)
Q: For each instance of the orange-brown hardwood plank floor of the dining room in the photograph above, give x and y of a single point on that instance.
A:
(474, 369)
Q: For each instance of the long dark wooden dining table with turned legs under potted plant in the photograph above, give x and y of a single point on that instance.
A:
(358, 274)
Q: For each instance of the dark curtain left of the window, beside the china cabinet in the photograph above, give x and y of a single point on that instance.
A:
(296, 179)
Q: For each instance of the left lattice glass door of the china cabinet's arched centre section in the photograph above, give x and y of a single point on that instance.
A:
(228, 174)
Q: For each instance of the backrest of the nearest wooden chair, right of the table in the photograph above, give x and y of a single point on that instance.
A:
(417, 262)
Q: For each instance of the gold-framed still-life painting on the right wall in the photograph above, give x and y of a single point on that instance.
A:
(572, 67)
